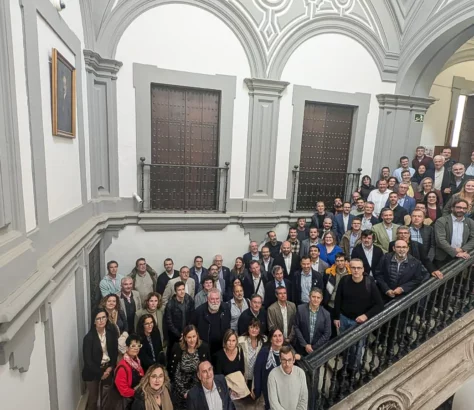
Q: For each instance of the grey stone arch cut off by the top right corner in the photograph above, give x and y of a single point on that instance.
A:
(430, 48)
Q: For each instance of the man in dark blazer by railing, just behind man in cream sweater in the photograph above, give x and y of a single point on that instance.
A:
(306, 343)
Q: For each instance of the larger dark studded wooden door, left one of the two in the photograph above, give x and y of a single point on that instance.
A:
(185, 142)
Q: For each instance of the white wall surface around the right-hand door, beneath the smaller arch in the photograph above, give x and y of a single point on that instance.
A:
(329, 62)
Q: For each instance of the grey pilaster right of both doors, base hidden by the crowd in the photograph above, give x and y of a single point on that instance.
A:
(398, 133)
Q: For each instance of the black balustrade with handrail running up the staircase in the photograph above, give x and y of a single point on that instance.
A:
(356, 356)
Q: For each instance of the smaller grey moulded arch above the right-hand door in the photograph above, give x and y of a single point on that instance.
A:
(325, 25)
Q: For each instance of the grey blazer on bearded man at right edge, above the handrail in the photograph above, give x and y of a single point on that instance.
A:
(444, 235)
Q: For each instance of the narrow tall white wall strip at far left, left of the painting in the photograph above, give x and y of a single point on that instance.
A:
(23, 116)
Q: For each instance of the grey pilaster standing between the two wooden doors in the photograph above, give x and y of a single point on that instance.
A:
(261, 144)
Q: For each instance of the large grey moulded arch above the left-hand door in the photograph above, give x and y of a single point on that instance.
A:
(126, 12)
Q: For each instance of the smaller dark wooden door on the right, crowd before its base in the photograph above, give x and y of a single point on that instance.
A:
(325, 148)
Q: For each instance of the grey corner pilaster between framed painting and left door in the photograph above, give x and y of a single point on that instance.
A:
(102, 104)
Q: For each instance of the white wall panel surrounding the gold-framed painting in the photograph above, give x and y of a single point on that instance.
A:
(61, 154)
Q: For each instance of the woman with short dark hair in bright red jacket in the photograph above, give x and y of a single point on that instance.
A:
(129, 371)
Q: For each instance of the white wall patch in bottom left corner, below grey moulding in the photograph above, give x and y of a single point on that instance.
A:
(27, 390)
